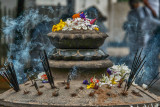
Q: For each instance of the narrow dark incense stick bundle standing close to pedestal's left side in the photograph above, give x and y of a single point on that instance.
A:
(46, 67)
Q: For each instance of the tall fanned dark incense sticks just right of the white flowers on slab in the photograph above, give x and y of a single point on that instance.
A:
(137, 67)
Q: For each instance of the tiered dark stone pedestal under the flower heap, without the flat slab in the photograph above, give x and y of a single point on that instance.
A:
(78, 48)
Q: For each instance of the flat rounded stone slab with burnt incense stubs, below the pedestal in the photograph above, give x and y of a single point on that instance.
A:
(86, 97)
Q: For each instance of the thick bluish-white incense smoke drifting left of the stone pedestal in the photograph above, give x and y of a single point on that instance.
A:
(27, 37)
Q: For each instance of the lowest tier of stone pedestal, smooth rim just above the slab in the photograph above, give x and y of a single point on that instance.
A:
(86, 69)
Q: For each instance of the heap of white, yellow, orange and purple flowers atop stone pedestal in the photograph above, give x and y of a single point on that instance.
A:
(79, 21)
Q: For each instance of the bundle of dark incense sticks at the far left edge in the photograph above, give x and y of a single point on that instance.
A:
(10, 76)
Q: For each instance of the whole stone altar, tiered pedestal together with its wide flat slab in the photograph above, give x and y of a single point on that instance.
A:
(72, 50)
